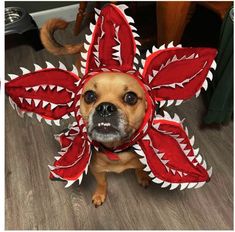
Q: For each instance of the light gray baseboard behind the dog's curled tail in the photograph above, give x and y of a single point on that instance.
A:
(67, 13)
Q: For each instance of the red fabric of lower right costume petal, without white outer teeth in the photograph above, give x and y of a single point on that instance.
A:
(173, 155)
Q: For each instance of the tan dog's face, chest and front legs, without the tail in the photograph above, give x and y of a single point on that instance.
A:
(113, 106)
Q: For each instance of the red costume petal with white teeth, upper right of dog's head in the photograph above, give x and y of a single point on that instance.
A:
(176, 73)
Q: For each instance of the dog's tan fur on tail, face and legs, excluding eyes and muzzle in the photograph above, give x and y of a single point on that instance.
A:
(109, 87)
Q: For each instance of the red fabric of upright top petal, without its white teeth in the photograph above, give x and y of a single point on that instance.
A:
(111, 18)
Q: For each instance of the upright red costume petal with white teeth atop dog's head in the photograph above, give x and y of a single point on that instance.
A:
(112, 43)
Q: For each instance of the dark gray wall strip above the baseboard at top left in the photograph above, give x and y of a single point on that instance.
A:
(34, 6)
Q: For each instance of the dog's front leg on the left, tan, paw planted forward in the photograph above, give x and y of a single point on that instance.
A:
(101, 190)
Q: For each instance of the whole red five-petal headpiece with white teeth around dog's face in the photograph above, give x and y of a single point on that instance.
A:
(169, 75)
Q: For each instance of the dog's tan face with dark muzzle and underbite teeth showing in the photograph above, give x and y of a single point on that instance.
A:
(113, 106)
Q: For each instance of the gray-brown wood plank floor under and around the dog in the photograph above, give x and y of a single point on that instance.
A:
(35, 202)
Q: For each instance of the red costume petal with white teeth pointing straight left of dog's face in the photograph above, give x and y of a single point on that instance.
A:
(49, 92)
